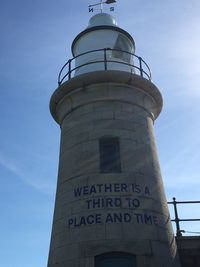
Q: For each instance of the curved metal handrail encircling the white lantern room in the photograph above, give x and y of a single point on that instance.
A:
(67, 70)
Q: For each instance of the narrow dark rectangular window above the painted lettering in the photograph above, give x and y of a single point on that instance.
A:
(109, 155)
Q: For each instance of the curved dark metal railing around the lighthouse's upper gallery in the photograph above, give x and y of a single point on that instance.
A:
(137, 65)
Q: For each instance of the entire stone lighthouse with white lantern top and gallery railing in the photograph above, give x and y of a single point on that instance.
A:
(110, 208)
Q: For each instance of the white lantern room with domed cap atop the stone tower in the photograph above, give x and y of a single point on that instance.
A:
(102, 46)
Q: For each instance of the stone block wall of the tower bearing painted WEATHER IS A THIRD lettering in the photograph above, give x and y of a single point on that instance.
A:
(98, 212)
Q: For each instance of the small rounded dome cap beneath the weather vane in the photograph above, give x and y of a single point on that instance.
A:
(102, 19)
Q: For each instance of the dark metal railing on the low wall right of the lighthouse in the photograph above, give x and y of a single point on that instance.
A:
(177, 220)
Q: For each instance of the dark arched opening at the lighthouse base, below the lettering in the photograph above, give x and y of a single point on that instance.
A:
(115, 259)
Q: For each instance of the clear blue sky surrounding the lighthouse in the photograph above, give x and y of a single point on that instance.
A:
(36, 39)
